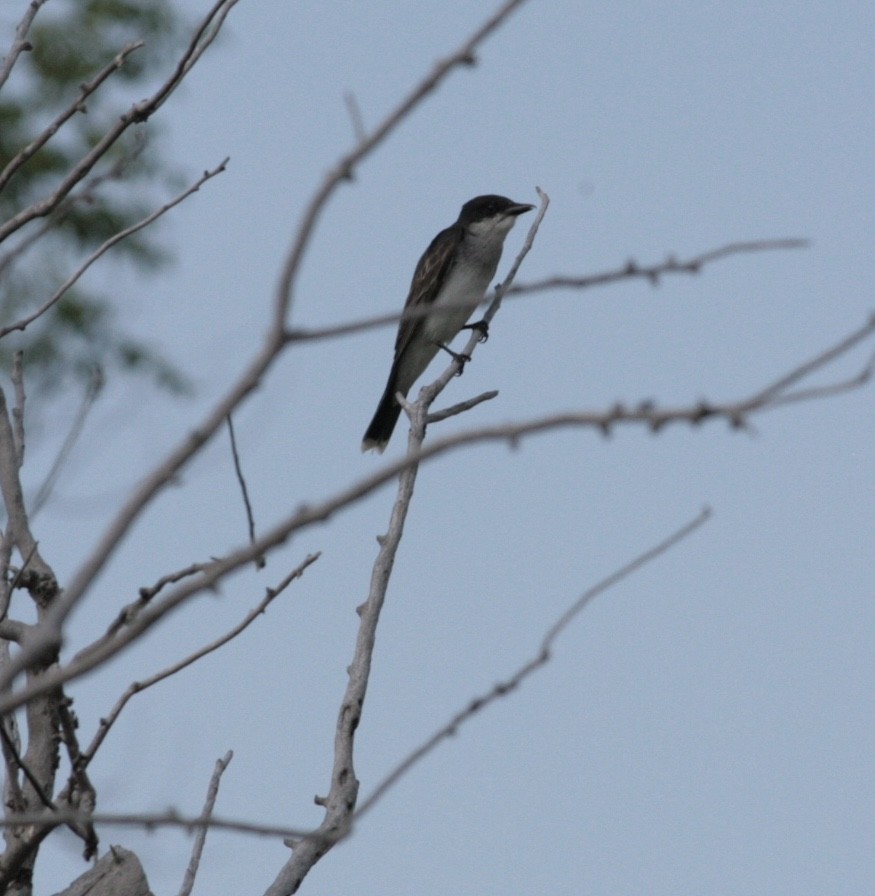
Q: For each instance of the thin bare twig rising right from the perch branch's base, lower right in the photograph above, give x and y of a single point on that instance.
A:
(541, 658)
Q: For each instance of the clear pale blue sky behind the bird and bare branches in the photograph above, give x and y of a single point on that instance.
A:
(704, 728)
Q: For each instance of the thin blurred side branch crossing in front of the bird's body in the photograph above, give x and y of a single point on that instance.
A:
(630, 271)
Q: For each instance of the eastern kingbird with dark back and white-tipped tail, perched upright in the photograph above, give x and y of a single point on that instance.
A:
(454, 272)
